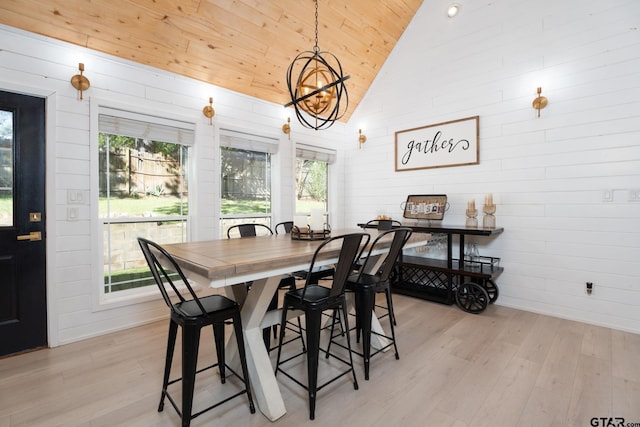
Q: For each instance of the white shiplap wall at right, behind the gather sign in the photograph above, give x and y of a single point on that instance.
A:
(548, 174)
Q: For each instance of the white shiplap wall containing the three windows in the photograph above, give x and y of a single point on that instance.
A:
(39, 66)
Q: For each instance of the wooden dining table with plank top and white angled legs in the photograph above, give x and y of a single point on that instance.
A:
(263, 260)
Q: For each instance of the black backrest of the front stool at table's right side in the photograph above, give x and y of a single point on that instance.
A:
(349, 250)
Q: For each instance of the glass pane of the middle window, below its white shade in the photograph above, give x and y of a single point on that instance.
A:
(245, 182)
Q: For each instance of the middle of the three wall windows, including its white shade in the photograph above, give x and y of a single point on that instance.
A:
(245, 179)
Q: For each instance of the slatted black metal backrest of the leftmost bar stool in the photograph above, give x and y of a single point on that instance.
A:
(167, 274)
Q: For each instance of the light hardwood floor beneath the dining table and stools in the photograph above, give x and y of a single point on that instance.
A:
(504, 367)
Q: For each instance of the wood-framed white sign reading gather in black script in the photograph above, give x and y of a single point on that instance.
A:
(453, 143)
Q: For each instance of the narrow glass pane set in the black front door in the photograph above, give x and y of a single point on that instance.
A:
(6, 168)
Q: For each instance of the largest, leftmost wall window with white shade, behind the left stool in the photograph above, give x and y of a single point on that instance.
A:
(143, 191)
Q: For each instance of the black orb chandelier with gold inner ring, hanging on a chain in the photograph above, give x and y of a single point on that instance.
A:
(316, 86)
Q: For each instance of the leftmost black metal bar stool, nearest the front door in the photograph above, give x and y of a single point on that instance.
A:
(192, 315)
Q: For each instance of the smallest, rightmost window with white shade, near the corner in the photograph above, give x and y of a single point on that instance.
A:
(312, 174)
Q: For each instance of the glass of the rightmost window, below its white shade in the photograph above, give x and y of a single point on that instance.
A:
(311, 185)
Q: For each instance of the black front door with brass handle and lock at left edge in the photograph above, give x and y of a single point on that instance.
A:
(23, 308)
